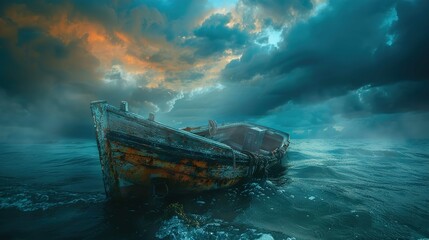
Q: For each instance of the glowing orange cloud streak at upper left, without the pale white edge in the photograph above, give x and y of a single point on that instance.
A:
(107, 47)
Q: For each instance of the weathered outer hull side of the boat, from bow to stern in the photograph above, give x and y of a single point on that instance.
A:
(159, 160)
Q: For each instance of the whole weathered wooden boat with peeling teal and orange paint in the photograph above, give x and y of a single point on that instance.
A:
(161, 160)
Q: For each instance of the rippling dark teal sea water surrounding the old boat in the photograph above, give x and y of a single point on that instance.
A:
(329, 189)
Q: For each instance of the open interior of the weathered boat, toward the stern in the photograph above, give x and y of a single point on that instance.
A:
(243, 137)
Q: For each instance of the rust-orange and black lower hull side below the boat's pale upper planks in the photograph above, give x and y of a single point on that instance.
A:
(137, 164)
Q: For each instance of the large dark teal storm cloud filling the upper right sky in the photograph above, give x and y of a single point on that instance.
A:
(341, 49)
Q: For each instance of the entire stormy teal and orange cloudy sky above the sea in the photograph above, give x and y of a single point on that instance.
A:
(314, 68)
